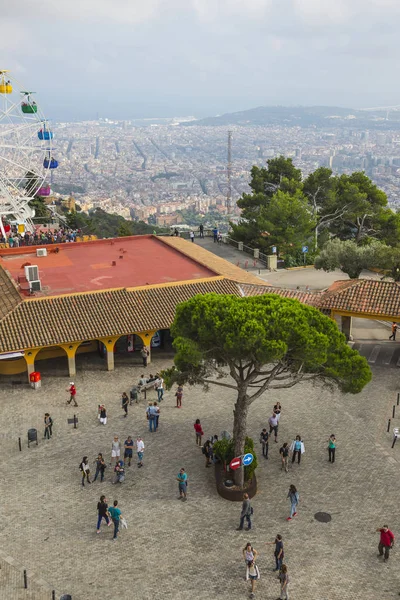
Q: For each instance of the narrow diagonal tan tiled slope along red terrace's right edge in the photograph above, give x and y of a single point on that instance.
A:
(219, 265)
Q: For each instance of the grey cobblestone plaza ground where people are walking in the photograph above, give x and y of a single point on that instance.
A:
(175, 550)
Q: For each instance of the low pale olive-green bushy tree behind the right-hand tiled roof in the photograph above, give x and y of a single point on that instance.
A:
(349, 257)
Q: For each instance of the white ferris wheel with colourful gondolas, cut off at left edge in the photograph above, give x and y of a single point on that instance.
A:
(26, 152)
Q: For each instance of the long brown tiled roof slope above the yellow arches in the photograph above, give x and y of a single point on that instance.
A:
(63, 319)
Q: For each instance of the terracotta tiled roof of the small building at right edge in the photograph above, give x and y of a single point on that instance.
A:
(366, 296)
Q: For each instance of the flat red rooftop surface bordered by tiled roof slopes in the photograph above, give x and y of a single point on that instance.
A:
(103, 264)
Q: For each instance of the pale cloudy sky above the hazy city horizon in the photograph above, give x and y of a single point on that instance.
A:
(145, 58)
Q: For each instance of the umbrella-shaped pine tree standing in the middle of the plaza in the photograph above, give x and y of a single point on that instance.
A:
(251, 345)
